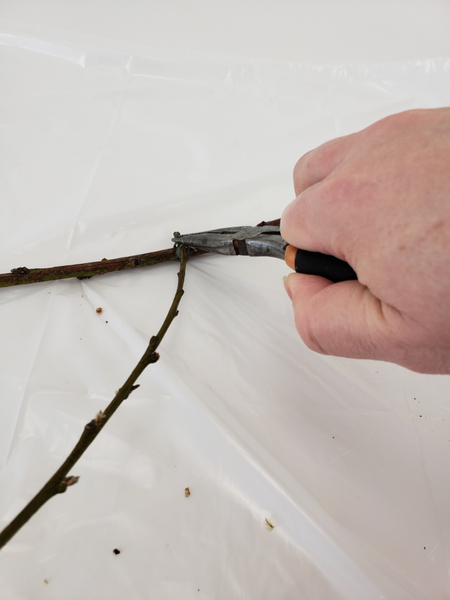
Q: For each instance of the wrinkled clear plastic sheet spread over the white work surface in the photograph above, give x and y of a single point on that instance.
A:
(106, 154)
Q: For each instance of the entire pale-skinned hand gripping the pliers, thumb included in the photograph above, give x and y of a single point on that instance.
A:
(380, 200)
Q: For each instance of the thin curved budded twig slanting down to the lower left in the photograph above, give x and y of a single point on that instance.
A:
(60, 481)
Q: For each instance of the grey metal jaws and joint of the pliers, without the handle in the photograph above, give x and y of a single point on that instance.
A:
(245, 241)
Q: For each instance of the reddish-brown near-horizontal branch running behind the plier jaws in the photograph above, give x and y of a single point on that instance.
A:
(23, 275)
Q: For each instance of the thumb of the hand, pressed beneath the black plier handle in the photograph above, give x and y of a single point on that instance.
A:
(343, 319)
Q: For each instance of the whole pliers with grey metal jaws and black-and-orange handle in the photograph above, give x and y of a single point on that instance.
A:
(267, 241)
